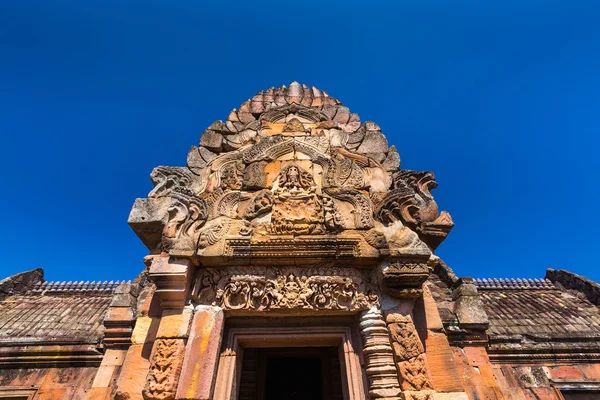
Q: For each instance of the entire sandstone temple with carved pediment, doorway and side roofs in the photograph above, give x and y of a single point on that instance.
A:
(292, 258)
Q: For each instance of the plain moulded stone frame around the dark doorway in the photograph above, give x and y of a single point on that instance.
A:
(230, 360)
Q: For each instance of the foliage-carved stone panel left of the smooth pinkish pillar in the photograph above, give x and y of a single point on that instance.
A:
(165, 367)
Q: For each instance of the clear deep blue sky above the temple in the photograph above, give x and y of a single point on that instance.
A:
(500, 99)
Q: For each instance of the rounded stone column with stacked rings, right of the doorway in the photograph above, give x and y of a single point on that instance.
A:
(381, 373)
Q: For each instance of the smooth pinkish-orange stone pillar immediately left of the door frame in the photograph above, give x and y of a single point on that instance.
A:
(201, 355)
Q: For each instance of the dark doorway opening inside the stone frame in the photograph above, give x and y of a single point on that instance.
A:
(307, 373)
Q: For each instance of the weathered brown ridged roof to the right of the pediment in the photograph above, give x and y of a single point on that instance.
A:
(558, 313)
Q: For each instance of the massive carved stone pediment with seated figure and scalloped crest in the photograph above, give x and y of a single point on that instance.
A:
(291, 174)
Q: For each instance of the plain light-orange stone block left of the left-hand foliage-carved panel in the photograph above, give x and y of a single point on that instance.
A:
(133, 373)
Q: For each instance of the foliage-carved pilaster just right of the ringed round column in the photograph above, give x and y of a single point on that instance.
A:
(409, 355)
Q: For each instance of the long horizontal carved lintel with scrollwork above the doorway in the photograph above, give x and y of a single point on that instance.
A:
(262, 289)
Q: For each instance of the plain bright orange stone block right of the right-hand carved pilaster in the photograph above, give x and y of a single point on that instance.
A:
(442, 367)
